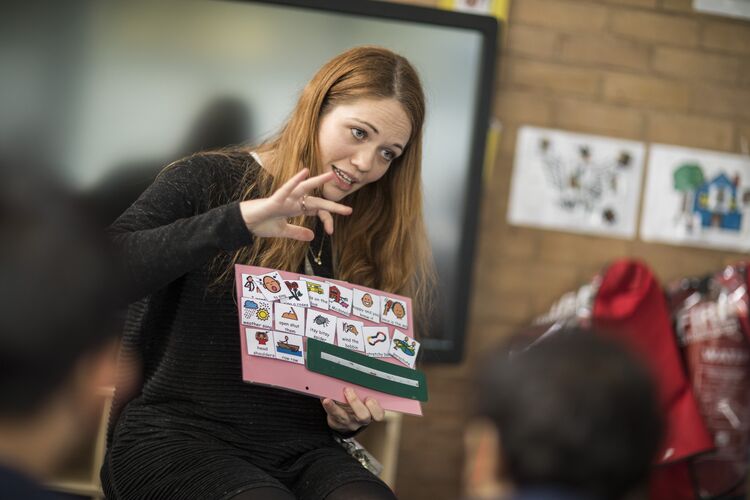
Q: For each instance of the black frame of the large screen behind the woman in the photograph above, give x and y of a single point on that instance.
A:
(489, 29)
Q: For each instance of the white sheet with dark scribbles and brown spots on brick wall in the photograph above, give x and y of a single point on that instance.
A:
(576, 182)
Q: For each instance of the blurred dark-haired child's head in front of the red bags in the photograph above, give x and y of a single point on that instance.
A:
(572, 411)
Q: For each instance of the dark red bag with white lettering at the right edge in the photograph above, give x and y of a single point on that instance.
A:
(712, 325)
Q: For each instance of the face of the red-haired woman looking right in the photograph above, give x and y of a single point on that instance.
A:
(358, 141)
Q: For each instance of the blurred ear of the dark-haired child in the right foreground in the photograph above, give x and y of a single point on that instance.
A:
(483, 465)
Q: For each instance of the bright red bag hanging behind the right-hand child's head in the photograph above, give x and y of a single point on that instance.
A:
(627, 303)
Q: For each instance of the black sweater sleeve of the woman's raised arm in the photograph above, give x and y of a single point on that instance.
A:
(170, 230)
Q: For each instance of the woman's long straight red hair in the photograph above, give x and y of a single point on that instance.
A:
(383, 244)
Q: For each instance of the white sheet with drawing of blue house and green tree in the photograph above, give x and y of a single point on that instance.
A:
(697, 197)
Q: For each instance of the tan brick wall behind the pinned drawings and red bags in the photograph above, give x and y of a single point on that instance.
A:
(649, 70)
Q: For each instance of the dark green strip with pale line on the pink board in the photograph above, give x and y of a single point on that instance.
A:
(359, 369)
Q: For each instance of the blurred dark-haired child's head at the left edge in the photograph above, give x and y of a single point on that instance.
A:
(57, 329)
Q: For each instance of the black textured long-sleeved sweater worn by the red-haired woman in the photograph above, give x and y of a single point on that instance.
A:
(186, 332)
